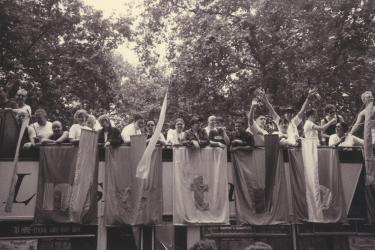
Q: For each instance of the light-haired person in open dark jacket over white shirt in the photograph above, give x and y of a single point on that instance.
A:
(108, 135)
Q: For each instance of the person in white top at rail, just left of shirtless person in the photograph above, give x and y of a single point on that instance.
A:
(342, 139)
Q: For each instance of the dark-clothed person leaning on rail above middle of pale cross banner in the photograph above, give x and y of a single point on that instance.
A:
(196, 136)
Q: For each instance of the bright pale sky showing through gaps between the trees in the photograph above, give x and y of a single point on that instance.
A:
(118, 8)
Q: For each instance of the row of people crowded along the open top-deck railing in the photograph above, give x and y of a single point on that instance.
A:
(332, 130)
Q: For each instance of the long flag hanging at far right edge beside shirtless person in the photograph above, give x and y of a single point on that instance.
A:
(369, 162)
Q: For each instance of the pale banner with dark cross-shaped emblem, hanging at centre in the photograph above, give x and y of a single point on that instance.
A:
(200, 186)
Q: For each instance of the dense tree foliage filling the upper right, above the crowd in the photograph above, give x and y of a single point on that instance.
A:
(220, 51)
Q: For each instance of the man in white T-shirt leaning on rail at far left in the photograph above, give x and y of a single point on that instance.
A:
(41, 129)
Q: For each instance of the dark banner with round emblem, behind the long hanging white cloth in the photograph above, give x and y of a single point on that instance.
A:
(331, 192)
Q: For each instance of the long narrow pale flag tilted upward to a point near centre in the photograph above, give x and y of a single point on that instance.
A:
(144, 164)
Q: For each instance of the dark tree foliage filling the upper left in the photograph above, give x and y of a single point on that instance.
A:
(61, 52)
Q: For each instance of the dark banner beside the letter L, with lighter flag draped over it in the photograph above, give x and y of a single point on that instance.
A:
(67, 187)
